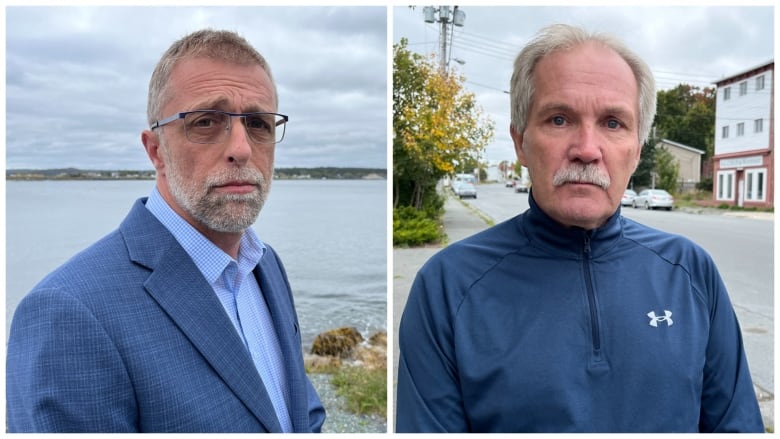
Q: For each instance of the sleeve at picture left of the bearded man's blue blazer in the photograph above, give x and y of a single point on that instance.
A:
(63, 373)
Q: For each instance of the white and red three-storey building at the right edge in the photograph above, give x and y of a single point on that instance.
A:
(743, 164)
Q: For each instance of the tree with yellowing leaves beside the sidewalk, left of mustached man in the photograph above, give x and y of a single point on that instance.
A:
(436, 123)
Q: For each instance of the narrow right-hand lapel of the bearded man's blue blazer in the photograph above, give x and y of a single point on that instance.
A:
(276, 290)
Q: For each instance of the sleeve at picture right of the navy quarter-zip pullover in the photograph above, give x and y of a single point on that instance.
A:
(728, 399)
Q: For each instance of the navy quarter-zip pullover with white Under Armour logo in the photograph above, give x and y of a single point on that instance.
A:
(533, 327)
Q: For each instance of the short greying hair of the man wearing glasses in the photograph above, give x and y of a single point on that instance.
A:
(211, 44)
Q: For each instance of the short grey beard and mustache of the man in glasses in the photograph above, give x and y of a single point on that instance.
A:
(226, 213)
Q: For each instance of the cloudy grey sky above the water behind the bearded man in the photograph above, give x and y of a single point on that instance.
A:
(77, 80)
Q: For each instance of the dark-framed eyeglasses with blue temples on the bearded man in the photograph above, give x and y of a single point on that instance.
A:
(213, 126)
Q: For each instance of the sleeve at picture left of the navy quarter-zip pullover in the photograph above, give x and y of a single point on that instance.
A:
(428, 392)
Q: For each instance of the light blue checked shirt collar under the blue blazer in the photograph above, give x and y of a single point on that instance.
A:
(210, 259)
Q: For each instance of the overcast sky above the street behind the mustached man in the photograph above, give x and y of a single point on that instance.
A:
(696, 45)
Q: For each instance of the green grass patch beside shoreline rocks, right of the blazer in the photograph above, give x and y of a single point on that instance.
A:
(364, 390)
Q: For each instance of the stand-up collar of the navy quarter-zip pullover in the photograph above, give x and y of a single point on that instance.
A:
(546, 233)
